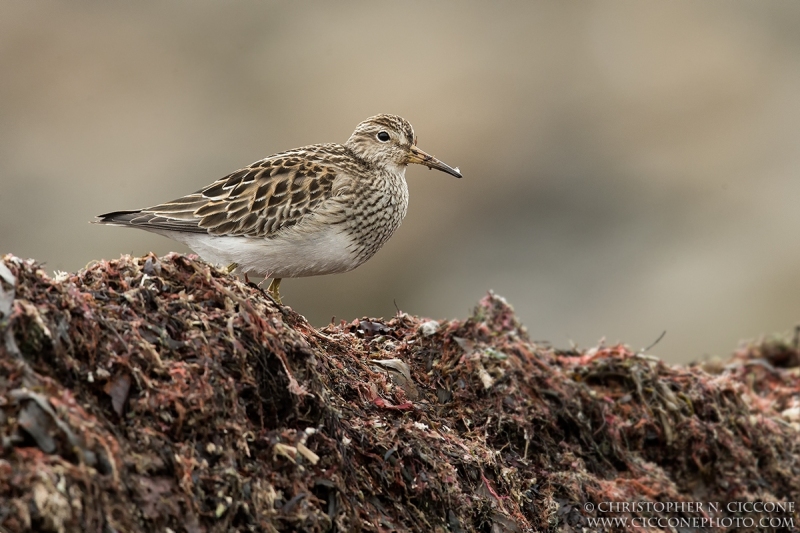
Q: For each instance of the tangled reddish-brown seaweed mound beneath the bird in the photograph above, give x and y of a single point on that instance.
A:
(162, 394)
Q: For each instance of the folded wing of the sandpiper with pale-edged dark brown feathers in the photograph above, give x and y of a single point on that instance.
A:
(256, 201)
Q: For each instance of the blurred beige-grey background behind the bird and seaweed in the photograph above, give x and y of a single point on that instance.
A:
(629, 167)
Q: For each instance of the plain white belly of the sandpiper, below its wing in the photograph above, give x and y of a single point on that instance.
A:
(292, 254)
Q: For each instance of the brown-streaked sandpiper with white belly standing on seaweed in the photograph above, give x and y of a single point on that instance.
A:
(319, 209)
